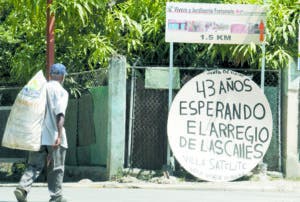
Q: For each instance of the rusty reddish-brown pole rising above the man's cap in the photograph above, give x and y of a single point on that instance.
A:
(50, 39)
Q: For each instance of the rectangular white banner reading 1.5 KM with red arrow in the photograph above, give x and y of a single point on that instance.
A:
(215, 23)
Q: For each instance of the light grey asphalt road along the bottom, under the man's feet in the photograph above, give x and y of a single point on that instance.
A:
(85, 194)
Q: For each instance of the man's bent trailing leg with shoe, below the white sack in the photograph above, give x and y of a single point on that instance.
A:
(35, 165)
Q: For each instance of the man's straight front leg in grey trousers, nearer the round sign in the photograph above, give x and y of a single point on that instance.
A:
(56, 172)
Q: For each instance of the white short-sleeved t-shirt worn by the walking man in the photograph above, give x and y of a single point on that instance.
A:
(57, 101)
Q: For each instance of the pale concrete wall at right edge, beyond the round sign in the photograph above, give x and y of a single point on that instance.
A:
(290, 120)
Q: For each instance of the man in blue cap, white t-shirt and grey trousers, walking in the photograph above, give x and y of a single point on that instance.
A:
(54, 141)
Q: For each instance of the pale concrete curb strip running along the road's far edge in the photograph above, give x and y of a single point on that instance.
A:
(265, 186)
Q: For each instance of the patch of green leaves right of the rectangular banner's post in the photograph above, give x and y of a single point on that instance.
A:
(283, 31)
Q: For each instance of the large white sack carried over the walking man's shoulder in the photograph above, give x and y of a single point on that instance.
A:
(24, 125)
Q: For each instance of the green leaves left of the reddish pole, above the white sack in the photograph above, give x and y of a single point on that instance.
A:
(25, 40)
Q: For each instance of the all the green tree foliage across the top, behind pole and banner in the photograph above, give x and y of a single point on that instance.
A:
(88, 32)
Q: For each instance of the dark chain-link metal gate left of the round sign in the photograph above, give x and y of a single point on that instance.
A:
(147, 125)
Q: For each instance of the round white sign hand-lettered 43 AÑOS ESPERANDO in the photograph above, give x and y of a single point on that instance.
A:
(219, 125)
